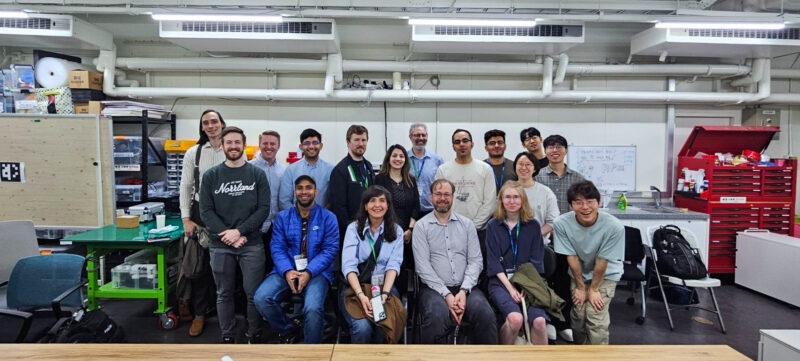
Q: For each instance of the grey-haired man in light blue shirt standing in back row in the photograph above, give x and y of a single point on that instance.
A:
(424, 164)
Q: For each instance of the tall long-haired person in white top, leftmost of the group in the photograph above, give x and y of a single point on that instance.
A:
(207, 153)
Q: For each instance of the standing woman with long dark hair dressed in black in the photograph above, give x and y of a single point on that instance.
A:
(395, 176)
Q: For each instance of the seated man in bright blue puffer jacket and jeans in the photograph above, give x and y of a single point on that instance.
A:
(305, 241)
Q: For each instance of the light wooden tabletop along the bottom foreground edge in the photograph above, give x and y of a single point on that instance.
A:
(181, 352)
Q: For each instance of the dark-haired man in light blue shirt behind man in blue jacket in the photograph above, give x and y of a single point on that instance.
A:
(311, 165)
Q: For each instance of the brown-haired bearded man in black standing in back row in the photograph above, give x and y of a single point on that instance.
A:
(351, 177)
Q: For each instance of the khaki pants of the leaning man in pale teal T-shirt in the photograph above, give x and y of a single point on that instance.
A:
(590, 326)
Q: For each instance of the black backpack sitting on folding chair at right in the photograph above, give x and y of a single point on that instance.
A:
(675, 256)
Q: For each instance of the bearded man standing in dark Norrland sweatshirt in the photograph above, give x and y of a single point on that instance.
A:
(234, 201)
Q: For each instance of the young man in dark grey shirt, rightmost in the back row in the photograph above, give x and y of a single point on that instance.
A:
(557, 175)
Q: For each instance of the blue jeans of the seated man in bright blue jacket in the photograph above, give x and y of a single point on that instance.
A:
(274, 289)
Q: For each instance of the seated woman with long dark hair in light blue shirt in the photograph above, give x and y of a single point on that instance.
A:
(372, 253)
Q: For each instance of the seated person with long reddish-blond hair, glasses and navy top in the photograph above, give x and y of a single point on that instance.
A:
(513, 237)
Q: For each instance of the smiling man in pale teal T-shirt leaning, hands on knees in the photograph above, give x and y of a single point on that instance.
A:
(594, 243)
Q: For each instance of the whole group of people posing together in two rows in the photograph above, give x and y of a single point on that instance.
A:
(475, 234)
